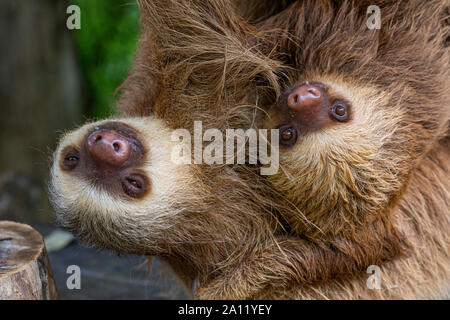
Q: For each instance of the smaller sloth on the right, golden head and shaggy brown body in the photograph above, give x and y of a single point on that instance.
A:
(359, 108)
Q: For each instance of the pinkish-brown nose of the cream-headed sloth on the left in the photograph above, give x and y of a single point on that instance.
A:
(108, 148)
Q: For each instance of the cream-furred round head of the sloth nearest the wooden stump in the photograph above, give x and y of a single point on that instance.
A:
(114, 185)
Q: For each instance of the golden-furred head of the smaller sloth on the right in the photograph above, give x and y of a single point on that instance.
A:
(339, 166)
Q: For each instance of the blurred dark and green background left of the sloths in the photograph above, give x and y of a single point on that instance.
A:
(51, 80)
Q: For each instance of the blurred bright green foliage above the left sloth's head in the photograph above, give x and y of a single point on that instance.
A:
(106, 45)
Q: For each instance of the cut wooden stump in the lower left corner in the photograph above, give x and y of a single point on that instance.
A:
(25, 272)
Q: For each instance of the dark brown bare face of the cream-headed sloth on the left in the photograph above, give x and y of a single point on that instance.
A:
(110, 157)
